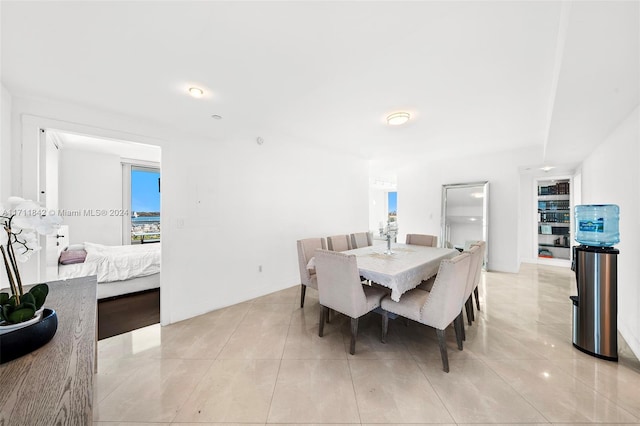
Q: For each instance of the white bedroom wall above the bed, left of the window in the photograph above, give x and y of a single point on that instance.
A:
(90, 183)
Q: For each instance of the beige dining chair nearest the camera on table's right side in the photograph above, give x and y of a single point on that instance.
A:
(437, 308)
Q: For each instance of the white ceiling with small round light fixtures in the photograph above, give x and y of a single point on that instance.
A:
(476, 76)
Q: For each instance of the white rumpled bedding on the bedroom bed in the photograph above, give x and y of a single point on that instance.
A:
(115, 263)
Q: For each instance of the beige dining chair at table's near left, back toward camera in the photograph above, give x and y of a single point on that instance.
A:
(340, 289)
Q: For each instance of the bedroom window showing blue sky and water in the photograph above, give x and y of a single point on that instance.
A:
(145, 205)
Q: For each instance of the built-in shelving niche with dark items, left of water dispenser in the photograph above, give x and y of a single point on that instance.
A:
(554, 219)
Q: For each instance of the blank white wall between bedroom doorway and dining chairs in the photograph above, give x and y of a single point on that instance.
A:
(245, 205)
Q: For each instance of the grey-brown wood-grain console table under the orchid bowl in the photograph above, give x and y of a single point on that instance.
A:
(54, 384)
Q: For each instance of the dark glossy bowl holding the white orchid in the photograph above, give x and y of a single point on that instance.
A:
(22, 341)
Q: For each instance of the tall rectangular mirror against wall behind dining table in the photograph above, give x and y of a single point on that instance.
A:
(465, 215)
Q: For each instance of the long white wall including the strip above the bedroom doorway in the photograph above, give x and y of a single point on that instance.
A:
(227, 206)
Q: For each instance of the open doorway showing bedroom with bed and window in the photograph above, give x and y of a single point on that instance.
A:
(94, 198)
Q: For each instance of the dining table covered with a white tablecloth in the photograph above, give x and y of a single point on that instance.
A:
(401, 270)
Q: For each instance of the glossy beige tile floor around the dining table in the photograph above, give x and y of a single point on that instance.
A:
(262, 362)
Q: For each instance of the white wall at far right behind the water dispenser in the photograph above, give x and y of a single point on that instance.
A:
(610, 176)
